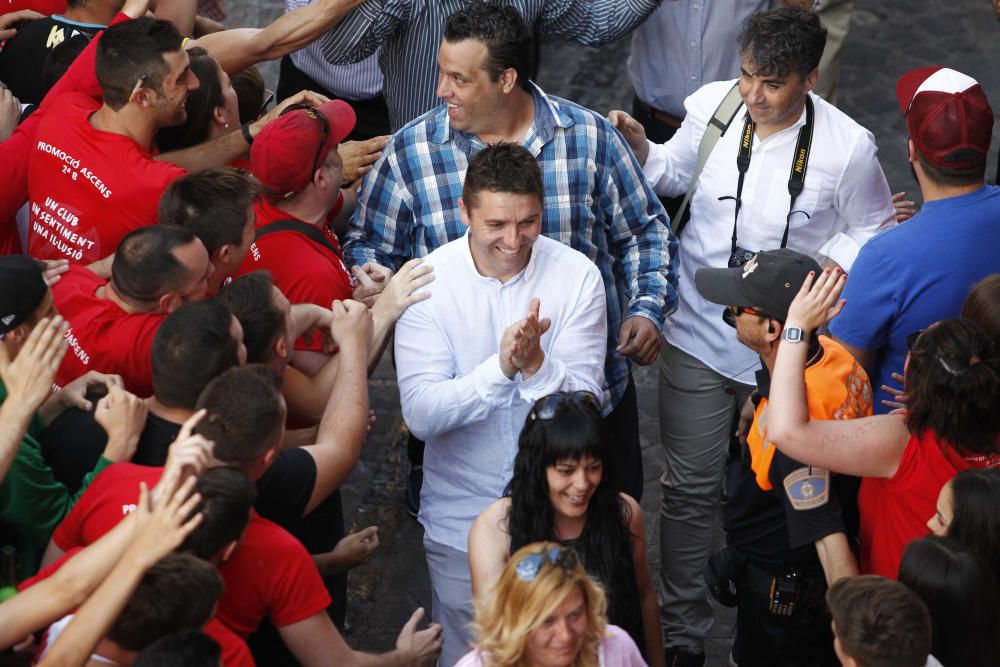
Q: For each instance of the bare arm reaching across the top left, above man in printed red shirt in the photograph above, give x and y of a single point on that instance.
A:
(241, 47)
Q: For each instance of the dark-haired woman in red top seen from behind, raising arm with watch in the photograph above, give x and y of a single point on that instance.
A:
(951, 423)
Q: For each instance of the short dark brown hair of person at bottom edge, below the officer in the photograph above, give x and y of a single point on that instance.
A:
(880, 622)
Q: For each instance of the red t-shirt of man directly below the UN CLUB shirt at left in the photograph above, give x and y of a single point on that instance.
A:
(102, 336)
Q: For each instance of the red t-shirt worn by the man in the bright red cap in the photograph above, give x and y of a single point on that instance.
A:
(304, 271)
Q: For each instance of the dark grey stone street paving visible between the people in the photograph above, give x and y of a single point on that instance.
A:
(887, 38)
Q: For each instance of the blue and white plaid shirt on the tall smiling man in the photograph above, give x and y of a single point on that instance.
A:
(596, 201)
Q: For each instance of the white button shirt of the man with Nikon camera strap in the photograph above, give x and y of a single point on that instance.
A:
(844, 202)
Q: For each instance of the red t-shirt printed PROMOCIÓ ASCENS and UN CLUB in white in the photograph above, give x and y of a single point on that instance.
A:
(87, 188)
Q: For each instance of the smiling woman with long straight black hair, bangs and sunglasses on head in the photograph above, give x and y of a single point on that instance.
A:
(558, 493)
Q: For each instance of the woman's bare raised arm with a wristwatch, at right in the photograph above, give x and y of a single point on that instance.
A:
(866, 447)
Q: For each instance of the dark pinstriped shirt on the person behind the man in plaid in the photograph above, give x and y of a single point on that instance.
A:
(409, 33)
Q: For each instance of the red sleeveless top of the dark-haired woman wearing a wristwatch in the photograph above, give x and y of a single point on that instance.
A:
(895, 511)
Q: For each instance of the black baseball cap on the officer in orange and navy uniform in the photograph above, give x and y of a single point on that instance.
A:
(768, 282)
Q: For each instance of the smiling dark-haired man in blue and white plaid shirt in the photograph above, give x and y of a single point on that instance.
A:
(596, 199)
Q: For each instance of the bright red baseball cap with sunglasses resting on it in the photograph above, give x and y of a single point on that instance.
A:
(291, 147)
